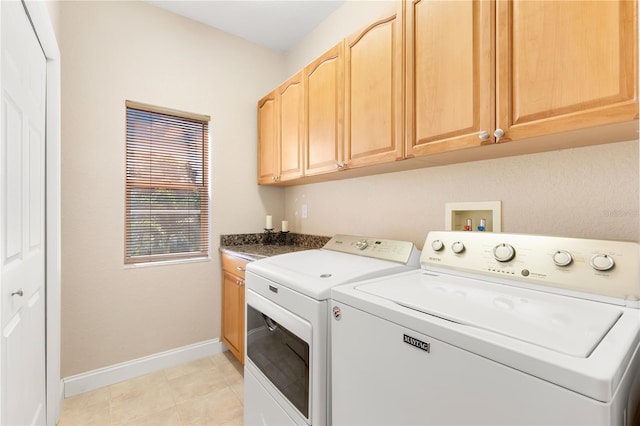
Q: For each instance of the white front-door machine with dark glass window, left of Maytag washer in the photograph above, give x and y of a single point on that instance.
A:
(287, 324)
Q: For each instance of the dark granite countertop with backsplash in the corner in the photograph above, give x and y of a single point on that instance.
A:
(253, 247)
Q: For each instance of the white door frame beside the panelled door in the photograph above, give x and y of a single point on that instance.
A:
(43, 27)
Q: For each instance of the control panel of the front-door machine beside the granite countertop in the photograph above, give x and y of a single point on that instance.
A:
(378, 248)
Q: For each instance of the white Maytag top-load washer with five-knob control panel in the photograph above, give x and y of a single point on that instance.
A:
(494, 329)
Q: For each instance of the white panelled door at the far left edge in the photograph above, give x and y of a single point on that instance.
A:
(22, 214)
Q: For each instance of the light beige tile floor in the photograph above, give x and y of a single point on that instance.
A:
(208, 391)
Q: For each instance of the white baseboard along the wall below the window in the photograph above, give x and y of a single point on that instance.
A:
(84, 382)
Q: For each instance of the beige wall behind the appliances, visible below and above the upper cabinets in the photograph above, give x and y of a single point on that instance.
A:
(587, 192)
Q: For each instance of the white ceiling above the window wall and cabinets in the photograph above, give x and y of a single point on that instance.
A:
(276, 24)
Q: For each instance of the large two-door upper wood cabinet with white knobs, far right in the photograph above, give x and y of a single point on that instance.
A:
(557, 67)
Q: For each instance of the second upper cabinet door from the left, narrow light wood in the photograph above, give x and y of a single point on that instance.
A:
(291, 104)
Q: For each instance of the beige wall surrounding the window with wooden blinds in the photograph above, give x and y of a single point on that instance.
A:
(113, 51)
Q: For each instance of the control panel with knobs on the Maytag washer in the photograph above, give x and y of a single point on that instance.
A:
(600, 267)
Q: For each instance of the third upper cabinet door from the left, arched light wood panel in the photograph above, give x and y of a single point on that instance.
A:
(324, 81)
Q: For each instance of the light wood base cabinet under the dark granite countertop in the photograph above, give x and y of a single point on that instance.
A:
(233, 273)
